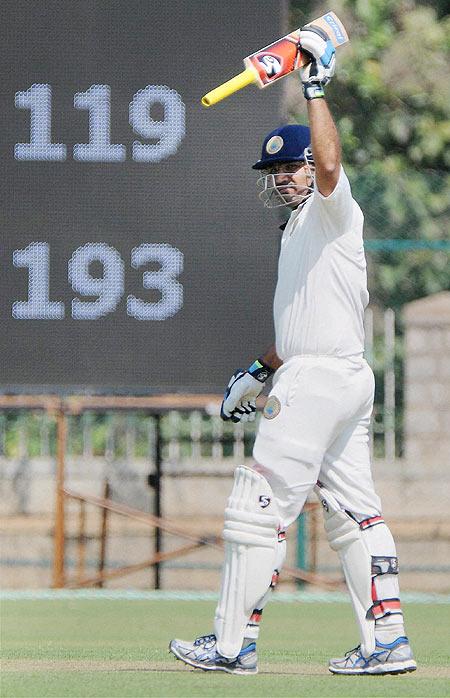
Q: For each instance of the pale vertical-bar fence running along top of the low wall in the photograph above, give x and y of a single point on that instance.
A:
(196, 436)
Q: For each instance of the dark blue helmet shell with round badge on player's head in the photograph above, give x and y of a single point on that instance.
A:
(284, 144)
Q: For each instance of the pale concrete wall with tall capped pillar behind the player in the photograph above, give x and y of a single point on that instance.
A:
(415, 490)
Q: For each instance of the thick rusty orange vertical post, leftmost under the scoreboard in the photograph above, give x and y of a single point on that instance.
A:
(59, 534)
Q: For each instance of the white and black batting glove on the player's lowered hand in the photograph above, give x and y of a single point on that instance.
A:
(239, 402)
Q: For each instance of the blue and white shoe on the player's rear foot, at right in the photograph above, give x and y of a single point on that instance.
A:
(393, 658)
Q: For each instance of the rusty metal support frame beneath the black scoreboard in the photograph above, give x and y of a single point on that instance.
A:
(60, 410)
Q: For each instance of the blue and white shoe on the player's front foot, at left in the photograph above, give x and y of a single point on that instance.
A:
(203, 654)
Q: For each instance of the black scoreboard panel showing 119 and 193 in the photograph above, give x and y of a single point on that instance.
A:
(135, 255)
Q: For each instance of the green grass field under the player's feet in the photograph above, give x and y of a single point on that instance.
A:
(108, 648)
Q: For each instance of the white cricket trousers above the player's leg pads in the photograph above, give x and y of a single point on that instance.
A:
(315, 427)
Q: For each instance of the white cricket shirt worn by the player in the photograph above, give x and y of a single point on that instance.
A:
(322, 291)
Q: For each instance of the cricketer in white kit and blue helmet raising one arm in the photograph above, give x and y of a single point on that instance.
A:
(314, 429)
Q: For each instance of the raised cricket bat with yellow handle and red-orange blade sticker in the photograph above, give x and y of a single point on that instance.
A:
(277, 60)
